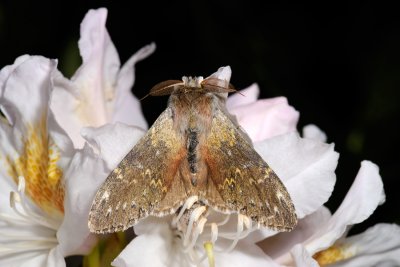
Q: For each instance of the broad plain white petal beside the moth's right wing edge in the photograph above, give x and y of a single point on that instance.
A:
(305, 166)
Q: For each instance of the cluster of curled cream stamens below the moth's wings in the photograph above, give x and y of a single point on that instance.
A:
(199, 228)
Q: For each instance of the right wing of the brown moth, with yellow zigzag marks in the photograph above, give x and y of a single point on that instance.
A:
(241, 181)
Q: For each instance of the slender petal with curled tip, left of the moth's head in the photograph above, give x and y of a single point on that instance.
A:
(126, 104)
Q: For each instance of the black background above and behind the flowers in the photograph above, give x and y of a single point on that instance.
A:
(338, 65)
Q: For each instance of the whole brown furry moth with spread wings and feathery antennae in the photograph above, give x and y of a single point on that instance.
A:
(194, 148)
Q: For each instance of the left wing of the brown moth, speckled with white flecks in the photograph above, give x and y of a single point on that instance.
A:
(141, 181)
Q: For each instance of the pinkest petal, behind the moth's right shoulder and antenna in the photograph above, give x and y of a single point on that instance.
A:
(264, 118)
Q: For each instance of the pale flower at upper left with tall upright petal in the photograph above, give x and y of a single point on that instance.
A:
(100, 91)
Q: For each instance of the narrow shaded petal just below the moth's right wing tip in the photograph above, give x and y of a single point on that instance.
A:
(278, 245)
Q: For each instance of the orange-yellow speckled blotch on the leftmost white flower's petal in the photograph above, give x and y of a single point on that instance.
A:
(37, 163)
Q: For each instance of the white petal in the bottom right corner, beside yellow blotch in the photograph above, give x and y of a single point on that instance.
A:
(378, 246)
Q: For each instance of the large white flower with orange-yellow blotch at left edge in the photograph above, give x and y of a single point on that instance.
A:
(43, 180)
